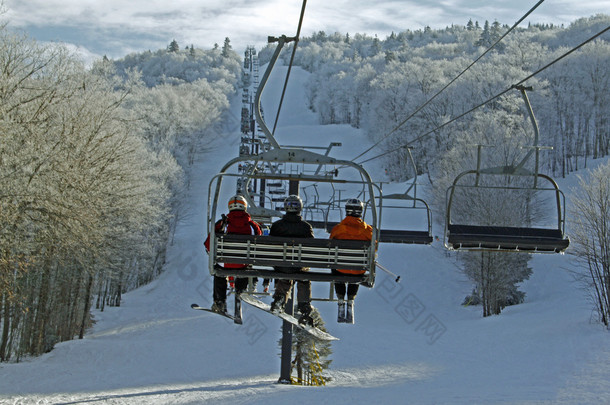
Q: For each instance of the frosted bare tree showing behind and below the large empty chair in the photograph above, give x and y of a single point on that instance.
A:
(495, 276)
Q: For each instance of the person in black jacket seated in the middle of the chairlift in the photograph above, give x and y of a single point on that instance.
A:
(292, 225)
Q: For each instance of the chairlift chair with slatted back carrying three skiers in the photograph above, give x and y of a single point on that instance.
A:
(261, 253)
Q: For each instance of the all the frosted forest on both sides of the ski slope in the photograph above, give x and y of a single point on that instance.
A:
(95, 160)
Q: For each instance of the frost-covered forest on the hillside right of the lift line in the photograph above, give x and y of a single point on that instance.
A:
(375, 84)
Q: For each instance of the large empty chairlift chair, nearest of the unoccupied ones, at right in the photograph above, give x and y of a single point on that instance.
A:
(524, 187)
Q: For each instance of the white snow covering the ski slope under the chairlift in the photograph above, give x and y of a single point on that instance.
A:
(413, 341)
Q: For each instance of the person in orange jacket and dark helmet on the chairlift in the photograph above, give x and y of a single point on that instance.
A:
(352, 228)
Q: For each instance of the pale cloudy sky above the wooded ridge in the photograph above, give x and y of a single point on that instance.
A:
(116, 28)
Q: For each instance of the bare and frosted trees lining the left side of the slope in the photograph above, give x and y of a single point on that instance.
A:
(92, 162)
